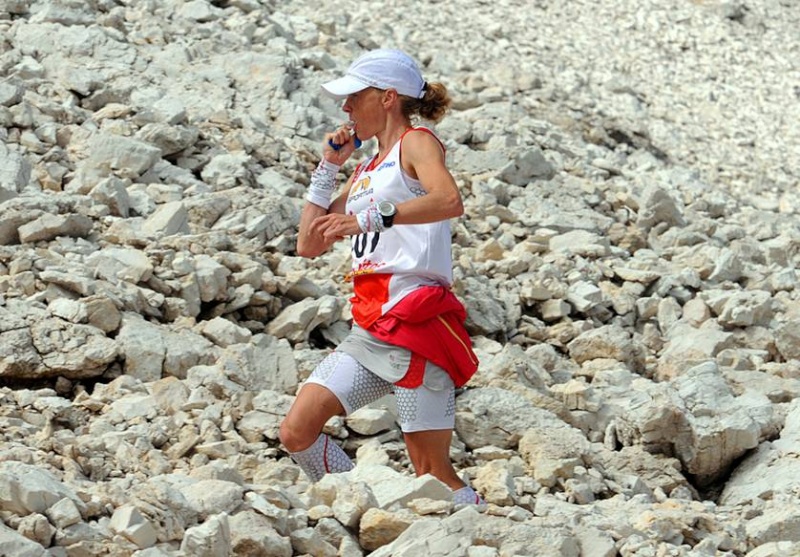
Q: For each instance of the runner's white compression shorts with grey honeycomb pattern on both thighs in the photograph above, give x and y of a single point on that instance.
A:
(419, 409)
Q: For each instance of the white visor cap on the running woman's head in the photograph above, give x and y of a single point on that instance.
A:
(382, 68)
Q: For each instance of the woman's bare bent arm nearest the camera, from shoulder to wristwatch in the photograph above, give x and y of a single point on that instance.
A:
(423, 159)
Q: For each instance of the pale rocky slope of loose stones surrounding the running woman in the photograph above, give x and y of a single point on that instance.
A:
(628, 260)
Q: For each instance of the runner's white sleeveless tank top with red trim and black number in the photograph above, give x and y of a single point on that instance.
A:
(412, 255)
